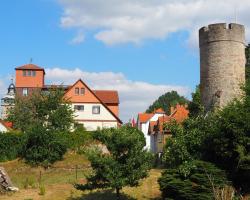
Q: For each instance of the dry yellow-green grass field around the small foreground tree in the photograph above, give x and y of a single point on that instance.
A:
(58, 182)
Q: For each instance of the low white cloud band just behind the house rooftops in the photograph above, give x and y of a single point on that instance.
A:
(134, 96)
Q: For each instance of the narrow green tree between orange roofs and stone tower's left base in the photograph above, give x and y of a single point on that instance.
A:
(195, 107)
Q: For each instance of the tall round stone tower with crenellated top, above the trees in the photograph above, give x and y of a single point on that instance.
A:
(222, 63)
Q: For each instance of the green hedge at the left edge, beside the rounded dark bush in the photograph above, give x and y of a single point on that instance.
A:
(10, 145)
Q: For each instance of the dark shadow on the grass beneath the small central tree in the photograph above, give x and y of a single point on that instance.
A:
(102, 195)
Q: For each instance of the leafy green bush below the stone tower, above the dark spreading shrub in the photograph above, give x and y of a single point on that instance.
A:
(186, 143)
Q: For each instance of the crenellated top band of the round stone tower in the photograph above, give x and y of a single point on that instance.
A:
(222, 32)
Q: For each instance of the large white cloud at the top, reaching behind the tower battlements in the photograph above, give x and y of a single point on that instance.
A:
(132, 21)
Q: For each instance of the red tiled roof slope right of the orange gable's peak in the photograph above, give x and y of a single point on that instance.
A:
(107, 96)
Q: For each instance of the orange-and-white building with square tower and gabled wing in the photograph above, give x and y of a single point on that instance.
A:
(93, 108)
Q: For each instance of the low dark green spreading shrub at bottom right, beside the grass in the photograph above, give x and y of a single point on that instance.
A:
(204, 177)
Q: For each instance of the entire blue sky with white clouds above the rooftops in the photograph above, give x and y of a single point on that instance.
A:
(126, 39)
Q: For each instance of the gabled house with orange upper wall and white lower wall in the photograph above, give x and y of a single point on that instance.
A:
(94, 108)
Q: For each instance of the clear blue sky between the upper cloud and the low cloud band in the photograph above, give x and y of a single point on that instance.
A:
(33, 31)
